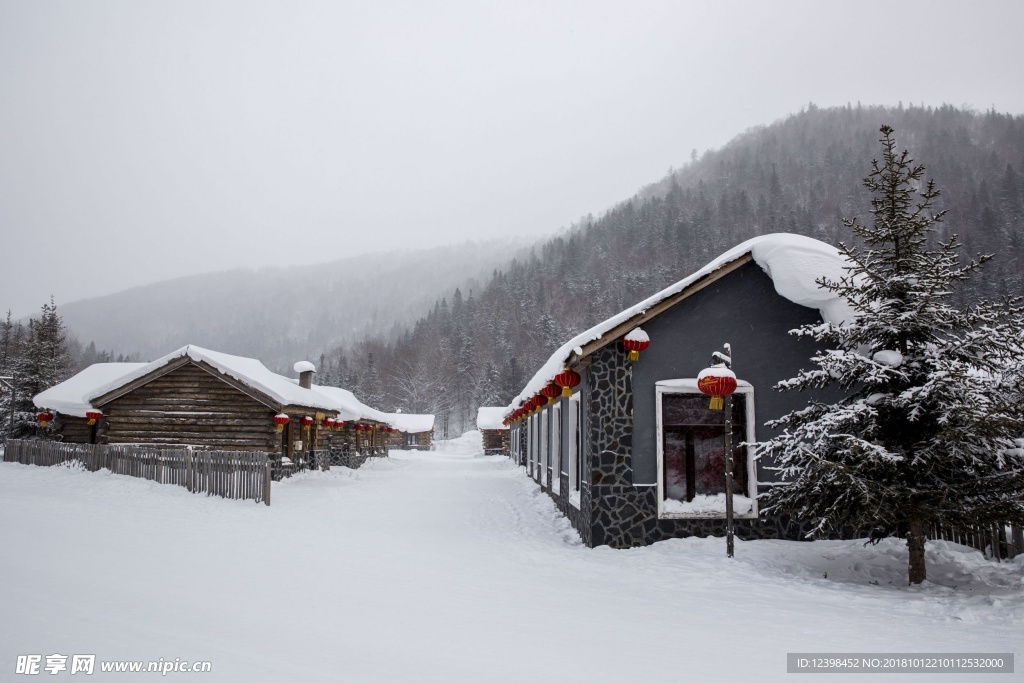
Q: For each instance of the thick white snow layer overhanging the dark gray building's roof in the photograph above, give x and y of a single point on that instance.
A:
(793, 262)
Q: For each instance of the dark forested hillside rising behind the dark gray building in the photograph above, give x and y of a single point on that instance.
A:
(802, 175)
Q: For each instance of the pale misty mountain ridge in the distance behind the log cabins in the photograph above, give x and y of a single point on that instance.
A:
(284, 315)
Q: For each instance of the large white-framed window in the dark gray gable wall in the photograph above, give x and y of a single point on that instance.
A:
(692, 453)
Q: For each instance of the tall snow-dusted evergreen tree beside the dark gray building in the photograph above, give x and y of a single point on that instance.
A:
(926, 433)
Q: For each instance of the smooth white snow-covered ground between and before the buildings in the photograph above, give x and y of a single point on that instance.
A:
(451, 567)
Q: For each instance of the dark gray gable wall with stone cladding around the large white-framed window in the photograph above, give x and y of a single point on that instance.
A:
(619, 496)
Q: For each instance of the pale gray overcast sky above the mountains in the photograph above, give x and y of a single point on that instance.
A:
(146, 141)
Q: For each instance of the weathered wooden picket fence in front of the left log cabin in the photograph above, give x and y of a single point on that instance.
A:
(235, 475)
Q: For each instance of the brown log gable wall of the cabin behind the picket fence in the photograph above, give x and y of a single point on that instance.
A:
(191, 407)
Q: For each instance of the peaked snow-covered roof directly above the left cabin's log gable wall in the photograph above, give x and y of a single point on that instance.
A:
(249, 372)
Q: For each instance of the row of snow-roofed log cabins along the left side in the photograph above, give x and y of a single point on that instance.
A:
(203, 399)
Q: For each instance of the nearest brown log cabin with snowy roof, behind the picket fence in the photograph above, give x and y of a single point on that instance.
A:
(193, 397)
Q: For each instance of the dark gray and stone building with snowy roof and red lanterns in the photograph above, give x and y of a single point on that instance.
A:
(633, 454)
